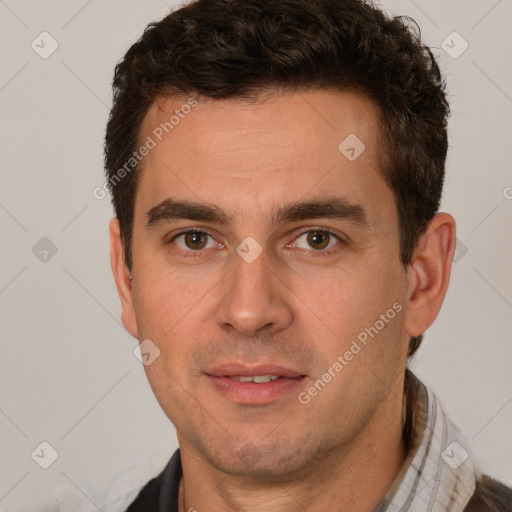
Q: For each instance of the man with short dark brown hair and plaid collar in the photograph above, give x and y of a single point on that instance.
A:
(276, 170)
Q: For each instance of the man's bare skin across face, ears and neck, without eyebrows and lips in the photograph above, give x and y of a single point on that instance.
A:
(296, 304)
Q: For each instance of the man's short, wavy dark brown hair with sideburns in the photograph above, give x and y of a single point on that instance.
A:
(237, 49)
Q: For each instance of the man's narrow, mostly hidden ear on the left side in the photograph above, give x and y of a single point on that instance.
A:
(122, 277)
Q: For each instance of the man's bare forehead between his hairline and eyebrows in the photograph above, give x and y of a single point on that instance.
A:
(252, 156)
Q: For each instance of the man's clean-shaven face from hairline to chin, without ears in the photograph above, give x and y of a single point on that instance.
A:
(262, 249)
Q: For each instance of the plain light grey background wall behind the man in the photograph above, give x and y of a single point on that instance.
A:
(68, 373)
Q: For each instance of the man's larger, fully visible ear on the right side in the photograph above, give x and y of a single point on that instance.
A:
(429, 273)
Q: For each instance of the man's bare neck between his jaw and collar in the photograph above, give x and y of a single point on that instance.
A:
(356, 476)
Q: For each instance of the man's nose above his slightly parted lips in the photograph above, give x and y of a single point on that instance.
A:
(254, 298)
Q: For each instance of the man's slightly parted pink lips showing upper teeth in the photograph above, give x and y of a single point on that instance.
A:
(256, 385)
